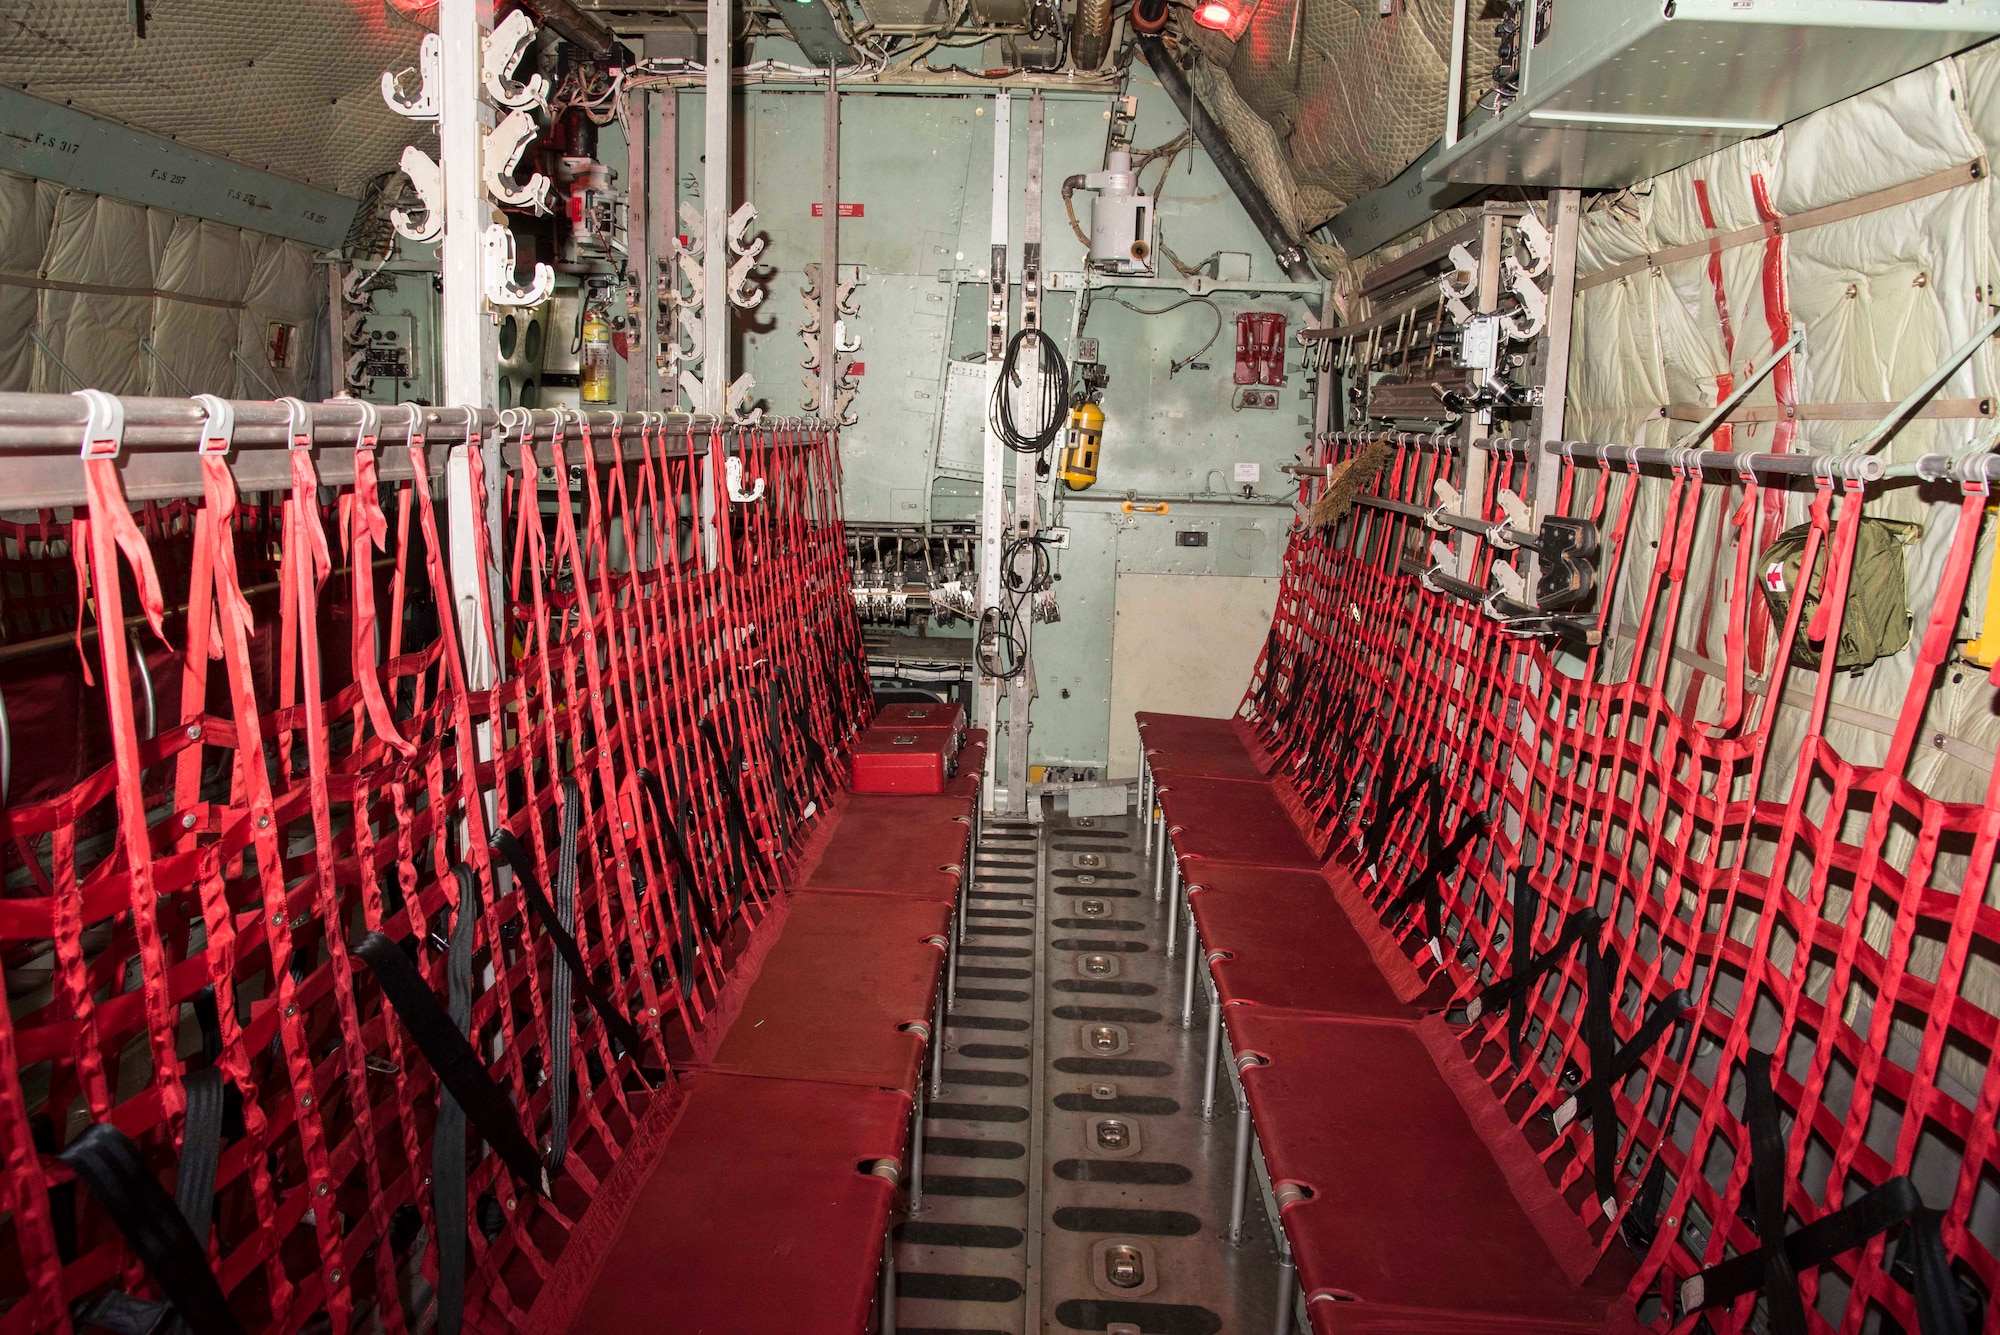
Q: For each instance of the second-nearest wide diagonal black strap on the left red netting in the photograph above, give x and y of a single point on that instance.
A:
(445, 1044)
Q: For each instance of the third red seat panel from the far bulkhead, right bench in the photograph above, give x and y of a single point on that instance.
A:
(1289, 944)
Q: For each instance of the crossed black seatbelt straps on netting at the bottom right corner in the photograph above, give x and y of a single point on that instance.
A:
(1941, 1304)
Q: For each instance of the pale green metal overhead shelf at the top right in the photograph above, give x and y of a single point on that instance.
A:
(1619, 91)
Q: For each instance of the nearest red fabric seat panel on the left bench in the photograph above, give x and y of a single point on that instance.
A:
(757, 1220)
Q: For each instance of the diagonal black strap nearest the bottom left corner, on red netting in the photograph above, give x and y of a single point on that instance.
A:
(121, 1180)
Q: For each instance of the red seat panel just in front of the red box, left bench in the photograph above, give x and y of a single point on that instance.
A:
(899, 846)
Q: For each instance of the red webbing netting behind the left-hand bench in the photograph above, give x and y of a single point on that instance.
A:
(305, 836)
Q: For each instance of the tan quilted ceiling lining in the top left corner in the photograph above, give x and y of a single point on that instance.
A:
(291, 89)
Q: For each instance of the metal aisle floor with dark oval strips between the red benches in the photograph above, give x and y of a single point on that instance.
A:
(1071, 1182)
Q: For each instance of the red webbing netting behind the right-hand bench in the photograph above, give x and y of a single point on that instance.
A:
(1689, 894)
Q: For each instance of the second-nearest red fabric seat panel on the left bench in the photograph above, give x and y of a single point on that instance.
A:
(835, 992)
